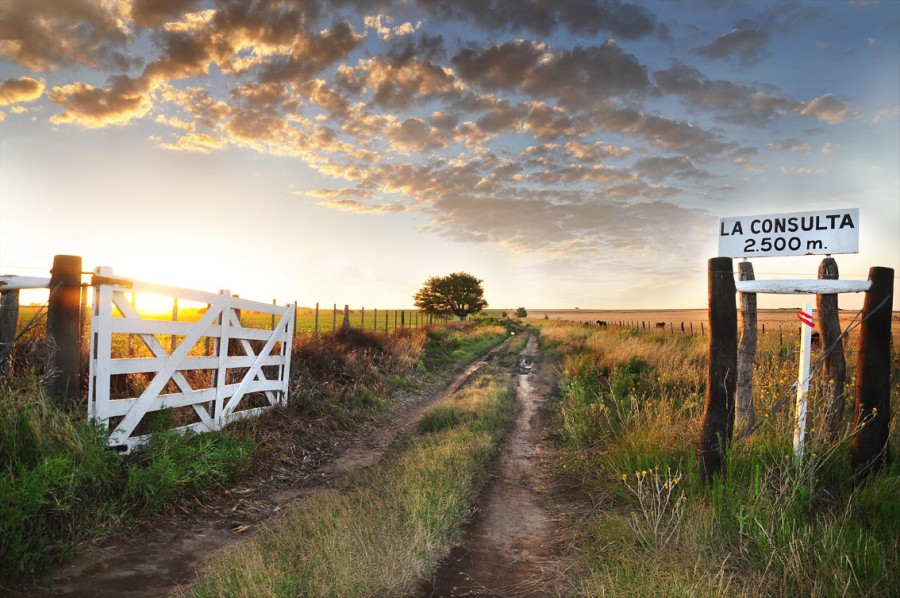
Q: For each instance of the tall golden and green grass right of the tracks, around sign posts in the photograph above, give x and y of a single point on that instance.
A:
(627, 427)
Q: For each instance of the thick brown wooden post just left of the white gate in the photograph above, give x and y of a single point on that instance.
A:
(63, 311)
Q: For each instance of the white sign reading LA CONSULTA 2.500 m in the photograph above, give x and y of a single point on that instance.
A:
(798, 233)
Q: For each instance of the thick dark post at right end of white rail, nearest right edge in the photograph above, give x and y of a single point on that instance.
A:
(872, 414)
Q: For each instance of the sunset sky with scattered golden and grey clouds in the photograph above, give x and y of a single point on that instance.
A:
(569, 154)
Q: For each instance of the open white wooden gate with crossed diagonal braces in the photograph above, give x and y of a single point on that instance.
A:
(210, 372)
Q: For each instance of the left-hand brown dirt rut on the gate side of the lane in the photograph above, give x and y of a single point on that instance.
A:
(169, 555)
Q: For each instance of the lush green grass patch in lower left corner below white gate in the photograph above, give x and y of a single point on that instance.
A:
(59, 483)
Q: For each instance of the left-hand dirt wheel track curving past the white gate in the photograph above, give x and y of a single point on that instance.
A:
(153, 561)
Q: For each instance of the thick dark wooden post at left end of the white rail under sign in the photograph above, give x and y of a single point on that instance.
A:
(717, 424)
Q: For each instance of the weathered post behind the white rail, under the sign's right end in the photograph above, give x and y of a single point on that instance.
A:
(835, 367)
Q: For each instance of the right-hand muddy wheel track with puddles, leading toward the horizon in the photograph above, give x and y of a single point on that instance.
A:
(508, 550)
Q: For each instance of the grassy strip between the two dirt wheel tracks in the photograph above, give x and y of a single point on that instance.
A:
(390, 525)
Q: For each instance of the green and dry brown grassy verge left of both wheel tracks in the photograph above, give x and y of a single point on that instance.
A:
(61, 485)
